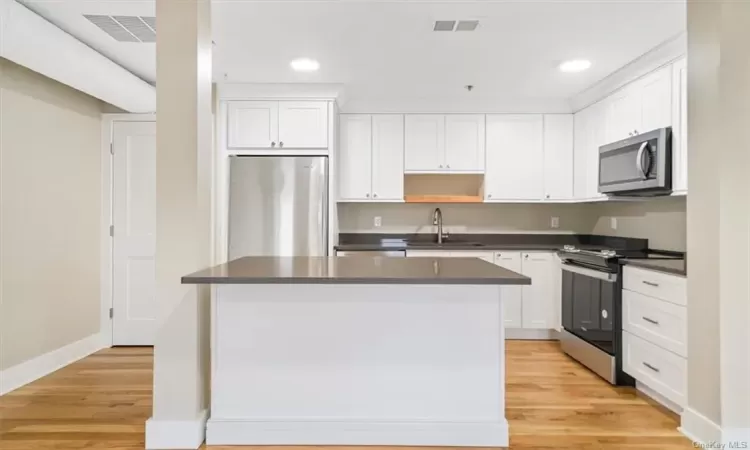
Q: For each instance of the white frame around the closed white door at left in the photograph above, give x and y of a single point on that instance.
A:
(107, 205)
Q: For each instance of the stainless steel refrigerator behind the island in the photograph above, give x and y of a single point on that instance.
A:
(278, 206)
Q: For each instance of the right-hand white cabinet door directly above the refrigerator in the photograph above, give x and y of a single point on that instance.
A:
(303, 124)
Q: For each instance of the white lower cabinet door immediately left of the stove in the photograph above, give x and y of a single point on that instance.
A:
(539, 308)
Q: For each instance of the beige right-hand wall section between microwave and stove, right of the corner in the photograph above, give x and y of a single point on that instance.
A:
(660, 220)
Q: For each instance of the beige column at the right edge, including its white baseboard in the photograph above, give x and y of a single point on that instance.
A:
(718, 222)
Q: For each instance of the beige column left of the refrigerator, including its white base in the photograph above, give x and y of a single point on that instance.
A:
(183, 222)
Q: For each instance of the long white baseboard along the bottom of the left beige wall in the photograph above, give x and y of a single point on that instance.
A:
(34, 369)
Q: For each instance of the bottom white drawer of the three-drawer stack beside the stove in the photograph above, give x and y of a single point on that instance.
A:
(659, 369)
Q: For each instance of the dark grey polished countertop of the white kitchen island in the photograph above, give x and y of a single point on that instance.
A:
(356, 270)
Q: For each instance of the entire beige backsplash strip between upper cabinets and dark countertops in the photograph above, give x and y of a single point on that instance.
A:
(660, 220)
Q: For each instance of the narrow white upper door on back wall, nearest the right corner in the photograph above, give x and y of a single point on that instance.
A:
(558, 156)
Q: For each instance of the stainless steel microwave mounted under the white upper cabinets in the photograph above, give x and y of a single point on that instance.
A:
(640, 165)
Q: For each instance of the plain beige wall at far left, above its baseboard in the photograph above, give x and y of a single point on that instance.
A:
(50, 214)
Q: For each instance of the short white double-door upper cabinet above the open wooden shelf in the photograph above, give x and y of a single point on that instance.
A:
(437, 143)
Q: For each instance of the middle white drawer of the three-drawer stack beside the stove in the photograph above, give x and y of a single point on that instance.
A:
(659, 322)
